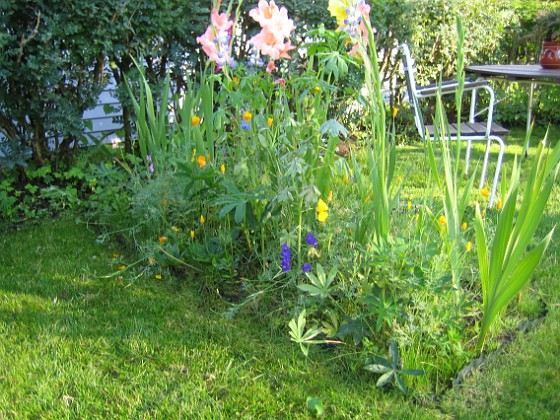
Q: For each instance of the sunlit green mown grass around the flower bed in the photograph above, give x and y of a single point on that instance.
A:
(75, 343)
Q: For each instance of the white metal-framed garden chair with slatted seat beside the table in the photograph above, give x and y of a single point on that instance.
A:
(468, 131)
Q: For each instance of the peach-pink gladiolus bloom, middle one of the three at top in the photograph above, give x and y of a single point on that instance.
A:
(276, 27)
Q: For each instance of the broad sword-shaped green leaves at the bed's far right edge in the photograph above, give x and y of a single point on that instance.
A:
(509, 265)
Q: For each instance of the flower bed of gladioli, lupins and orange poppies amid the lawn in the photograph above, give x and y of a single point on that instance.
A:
(246, 191)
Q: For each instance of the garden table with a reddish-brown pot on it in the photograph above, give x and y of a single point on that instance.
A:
(523, 73)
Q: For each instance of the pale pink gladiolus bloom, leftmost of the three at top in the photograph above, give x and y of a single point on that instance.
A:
(216, 41)
